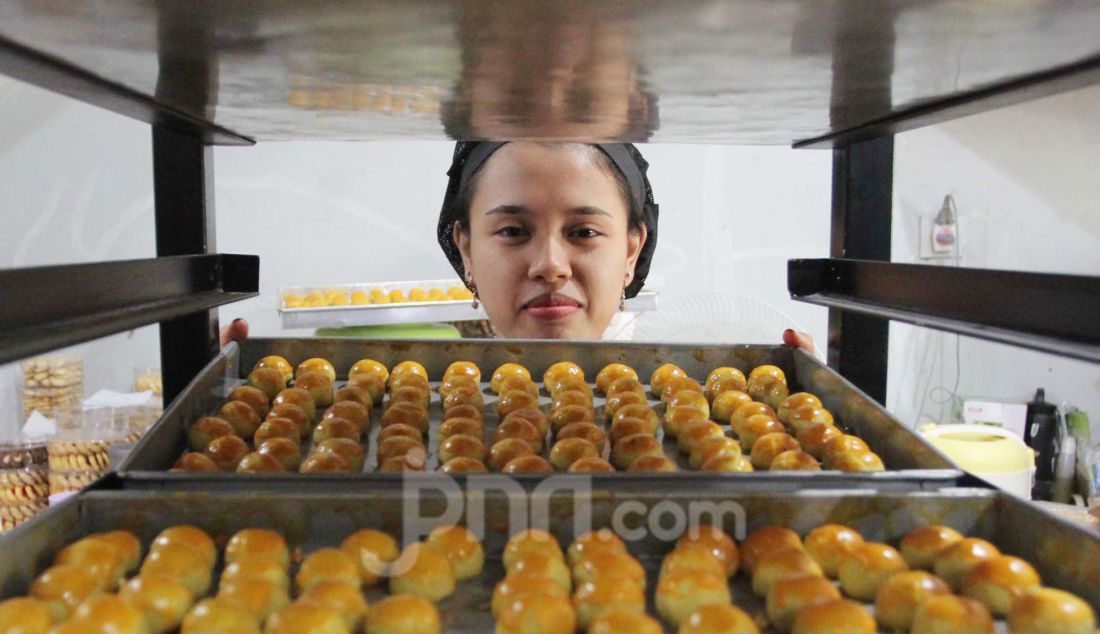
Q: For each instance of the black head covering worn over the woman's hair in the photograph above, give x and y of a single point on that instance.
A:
(469, 158)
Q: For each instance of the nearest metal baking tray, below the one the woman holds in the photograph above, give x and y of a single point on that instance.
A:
(1068, 556)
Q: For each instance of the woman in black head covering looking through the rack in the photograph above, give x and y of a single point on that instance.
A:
(552, 238)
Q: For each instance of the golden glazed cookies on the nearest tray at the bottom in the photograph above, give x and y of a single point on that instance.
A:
(596, 585)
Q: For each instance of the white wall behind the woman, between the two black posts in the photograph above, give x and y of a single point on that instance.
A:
(324, 214)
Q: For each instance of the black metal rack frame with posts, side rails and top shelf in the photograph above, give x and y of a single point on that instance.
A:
(163, 64)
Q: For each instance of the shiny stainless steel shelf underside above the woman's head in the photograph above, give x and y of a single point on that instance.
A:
(750, 72)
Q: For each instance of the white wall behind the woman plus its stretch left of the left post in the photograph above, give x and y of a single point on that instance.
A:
(78, 187)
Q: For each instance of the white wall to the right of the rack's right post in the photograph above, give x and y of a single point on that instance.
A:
(1025, 181)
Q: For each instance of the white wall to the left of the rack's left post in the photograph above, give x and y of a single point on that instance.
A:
(75, 187)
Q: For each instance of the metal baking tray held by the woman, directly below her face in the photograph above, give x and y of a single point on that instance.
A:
(911, 463)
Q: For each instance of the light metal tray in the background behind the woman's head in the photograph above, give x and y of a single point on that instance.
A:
(403, 313)
